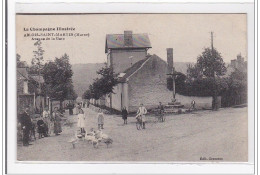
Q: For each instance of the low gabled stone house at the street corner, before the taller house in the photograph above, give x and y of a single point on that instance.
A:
(144, 82)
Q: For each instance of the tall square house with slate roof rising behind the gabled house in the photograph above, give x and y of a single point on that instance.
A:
(124, 50)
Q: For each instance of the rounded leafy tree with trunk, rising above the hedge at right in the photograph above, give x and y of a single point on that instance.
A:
(210, 65)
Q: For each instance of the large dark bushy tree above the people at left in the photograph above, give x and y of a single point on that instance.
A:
(58, 78)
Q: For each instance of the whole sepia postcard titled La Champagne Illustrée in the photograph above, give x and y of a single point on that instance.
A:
(132, 87)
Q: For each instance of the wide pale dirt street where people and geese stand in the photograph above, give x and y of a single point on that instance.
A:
(185, 137)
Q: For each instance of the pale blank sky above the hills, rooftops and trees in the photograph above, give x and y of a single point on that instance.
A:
(187, 34)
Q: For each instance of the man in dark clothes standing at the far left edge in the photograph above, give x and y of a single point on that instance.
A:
(26, 125)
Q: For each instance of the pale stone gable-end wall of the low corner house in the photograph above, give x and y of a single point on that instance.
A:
(148, 85)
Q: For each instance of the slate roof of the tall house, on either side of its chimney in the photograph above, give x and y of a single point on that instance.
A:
(116, 41)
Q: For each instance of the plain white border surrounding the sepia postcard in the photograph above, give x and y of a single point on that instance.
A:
(151, 168)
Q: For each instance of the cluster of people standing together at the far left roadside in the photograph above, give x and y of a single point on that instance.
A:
(45, 124)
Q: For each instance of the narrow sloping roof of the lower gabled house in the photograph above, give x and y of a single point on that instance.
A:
(128, 72)
